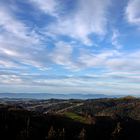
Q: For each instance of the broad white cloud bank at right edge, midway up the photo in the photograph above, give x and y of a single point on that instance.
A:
(115, 60)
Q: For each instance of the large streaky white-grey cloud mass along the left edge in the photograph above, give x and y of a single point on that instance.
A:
(18, 42)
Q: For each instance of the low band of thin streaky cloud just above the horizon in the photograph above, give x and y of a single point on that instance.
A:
(105, 83)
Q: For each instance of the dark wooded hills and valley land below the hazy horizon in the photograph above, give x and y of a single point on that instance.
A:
(100, 119)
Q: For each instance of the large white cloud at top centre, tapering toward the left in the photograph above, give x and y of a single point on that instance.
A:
(89, 17)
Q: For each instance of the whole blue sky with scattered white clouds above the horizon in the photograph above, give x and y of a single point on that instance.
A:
(70, 46)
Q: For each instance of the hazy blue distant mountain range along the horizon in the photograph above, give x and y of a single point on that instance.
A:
(55, 96)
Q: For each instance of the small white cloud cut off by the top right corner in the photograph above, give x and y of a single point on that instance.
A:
(133, 12)
